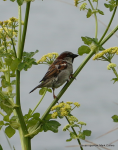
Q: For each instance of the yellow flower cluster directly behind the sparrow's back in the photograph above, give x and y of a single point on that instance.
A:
(48, 58)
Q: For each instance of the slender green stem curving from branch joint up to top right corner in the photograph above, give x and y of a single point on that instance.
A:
(108, 24)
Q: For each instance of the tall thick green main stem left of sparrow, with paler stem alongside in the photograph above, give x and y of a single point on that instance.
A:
(25, 141)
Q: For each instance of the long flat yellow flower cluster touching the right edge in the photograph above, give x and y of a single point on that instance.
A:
(111, 50)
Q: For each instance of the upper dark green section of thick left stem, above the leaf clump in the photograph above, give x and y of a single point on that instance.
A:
(20, 53)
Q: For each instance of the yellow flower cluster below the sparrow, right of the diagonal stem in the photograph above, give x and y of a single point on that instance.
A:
(63, 109)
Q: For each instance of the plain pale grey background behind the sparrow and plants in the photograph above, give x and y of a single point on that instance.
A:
(57, 26)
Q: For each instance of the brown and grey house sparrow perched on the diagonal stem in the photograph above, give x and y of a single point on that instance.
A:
(59, 72)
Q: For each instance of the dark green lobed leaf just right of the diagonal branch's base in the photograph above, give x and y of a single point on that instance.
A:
(51, 125)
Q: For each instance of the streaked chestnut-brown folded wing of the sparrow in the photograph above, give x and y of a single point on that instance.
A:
(55, 68)
